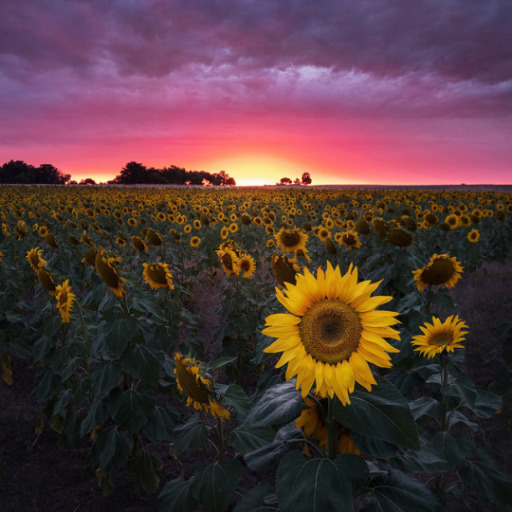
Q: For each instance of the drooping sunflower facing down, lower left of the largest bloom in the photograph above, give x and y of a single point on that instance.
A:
(198, 389)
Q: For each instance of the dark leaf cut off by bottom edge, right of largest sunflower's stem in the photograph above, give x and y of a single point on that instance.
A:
(399, 493)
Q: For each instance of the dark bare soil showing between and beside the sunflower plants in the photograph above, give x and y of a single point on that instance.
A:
(38, 474)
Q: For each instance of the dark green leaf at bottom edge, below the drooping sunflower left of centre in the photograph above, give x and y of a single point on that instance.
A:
(214, 484)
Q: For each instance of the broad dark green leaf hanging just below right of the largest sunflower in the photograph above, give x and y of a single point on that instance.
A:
(382, 413)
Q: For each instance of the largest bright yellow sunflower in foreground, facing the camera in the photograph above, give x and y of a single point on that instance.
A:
(332, 333)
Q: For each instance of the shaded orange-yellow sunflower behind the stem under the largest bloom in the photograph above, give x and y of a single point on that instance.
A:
(311, 423)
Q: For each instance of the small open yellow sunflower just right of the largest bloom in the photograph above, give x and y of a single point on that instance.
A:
(438, 336)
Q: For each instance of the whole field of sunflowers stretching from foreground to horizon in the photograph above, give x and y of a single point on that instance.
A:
(292, 349)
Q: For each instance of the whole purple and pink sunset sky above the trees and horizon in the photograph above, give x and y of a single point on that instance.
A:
(353, 92)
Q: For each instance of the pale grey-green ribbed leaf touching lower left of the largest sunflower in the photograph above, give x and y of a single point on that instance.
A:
(279, 405)
